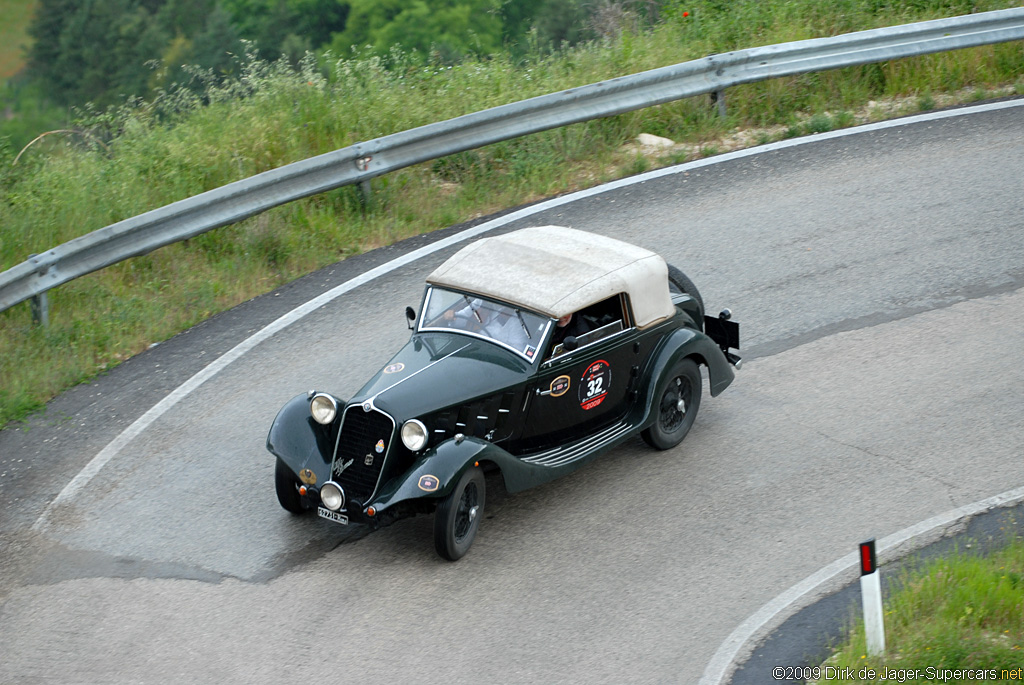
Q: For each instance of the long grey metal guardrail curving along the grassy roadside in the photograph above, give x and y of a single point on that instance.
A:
(364, 161)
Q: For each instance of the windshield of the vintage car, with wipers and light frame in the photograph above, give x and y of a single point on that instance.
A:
(519, 330)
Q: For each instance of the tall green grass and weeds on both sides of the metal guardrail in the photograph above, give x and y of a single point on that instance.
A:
(219, 126)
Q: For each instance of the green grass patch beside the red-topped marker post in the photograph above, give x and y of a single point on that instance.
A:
(958, 613)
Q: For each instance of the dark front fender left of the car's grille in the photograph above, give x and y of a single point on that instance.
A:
(301, 442)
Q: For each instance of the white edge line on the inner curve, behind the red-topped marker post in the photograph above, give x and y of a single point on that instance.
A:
(836, 576)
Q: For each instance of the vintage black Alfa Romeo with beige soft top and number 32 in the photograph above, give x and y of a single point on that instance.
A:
(534, 353)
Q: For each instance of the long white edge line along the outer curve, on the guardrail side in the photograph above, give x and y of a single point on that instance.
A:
(216, 367)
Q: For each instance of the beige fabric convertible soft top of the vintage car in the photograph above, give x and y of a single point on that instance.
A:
(557, 271)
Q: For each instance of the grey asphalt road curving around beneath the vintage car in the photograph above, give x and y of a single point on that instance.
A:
(877, 279)
